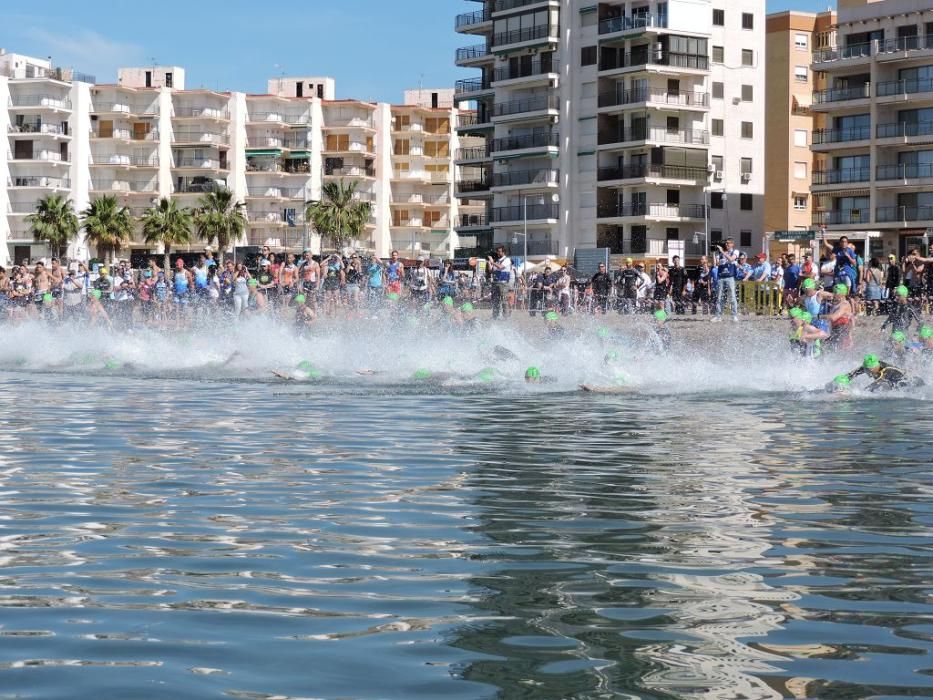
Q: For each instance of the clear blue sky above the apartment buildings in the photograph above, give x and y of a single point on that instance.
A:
(374, 48)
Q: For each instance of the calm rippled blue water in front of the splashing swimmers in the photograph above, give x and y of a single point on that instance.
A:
(182, 538)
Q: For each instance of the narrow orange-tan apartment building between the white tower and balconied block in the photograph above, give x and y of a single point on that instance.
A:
(790, 84)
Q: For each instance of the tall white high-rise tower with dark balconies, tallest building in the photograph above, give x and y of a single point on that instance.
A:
(634, 126)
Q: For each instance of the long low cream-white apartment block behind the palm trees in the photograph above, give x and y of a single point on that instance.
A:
(147, 136)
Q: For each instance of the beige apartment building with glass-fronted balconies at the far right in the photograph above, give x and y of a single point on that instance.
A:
(873, 173)
